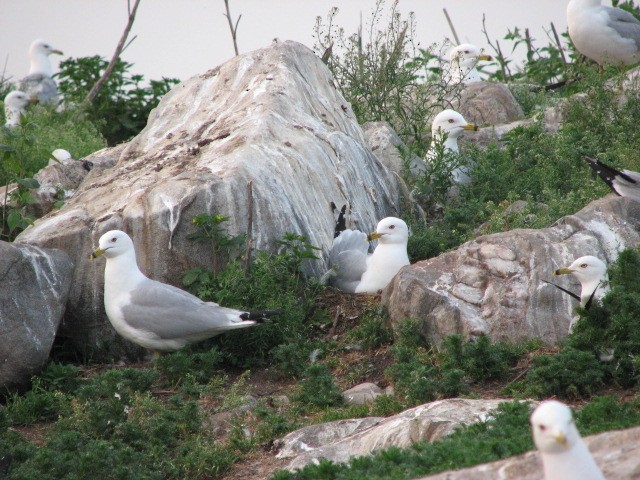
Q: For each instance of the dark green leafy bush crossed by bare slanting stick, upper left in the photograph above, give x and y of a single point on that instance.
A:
(122, 105)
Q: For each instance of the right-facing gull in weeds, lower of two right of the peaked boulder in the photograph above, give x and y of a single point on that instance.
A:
(446, 129)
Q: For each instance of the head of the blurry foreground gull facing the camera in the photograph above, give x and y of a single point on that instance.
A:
(553, 428)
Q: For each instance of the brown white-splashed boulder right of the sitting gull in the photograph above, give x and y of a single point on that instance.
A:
(493, 285)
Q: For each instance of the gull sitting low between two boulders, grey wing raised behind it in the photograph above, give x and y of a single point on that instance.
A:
(352, 269)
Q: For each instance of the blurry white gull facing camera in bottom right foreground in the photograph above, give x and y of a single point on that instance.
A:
(564, 455)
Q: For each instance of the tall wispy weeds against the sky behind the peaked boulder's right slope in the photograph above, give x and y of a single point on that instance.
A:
(381, 72)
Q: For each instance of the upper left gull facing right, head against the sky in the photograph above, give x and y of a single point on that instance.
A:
(38, 84)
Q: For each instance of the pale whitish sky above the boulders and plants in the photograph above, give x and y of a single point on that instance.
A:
(180, 38)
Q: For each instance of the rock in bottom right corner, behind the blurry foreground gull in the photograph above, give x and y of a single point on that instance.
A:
(617, 454)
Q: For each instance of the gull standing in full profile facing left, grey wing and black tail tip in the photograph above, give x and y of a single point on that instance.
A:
(153, 314)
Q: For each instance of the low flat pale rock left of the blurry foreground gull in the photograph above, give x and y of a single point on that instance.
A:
(339, 441)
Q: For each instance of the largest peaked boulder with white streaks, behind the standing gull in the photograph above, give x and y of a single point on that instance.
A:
(272, 117)
